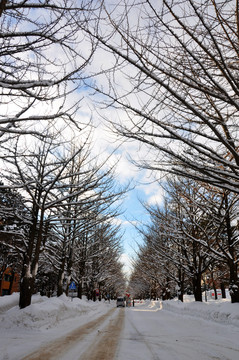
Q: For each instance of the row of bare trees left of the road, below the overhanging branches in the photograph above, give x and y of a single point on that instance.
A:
(63, 220)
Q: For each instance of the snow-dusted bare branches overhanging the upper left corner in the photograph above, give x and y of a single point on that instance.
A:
(42, 55)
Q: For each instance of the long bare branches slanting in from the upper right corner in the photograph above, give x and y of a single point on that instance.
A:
(175, 80)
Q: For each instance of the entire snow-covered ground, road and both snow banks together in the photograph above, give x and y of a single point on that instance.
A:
(61, 329)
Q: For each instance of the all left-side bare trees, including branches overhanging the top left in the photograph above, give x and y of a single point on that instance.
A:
(56, 197)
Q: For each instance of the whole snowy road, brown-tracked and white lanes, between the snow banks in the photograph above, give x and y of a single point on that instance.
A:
(144, 333)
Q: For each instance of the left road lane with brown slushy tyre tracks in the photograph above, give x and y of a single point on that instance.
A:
(95, 340)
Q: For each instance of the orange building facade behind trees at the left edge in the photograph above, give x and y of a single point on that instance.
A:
(10, 282)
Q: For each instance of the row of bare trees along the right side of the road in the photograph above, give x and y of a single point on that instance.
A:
(191, 241)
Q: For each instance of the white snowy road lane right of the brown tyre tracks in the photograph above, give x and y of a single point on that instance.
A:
(154, 334)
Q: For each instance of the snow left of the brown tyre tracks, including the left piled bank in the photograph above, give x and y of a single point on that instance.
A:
(46, 319)
